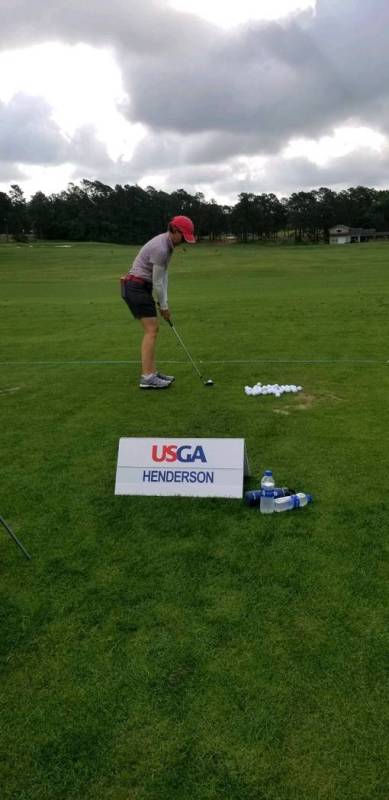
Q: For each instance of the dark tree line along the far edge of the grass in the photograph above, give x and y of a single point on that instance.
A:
(93, 211)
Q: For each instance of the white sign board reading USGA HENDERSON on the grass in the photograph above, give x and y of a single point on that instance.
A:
(187, 467)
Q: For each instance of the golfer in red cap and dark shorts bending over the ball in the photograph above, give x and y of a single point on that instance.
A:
(147, 277)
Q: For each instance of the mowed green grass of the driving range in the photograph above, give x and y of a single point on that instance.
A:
(185, 649)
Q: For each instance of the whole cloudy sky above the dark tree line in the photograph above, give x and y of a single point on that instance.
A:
(266, 96)
